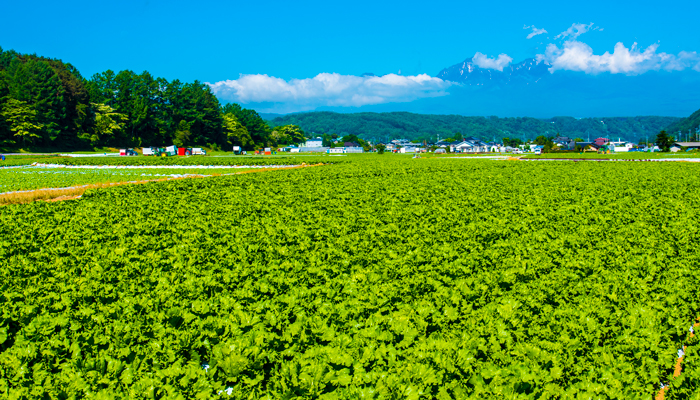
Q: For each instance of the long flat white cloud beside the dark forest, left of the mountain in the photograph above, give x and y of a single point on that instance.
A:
(327, 89)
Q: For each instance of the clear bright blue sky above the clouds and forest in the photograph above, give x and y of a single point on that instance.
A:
(215, 41)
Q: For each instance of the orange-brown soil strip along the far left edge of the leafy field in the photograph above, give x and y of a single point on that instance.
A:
(75, 192)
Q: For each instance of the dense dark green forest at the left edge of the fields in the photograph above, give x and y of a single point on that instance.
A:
(46, 104)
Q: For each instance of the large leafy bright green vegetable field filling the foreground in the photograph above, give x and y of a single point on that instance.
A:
(376, 278)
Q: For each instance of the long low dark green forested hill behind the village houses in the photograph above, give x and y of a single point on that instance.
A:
(394, 125)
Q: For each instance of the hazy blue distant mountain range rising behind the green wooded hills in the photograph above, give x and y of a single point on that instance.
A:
(528, 88)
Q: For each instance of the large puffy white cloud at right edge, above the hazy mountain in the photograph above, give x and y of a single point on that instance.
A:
(574, 55)
